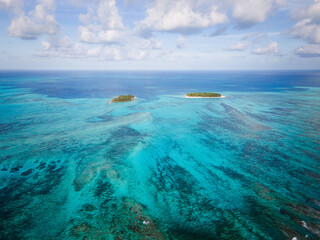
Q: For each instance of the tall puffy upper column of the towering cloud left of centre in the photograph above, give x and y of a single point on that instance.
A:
(102, 25)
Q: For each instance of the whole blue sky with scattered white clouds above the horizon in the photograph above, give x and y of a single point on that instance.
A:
(160, 34)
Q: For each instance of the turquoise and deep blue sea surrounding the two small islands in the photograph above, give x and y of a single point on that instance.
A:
(75, 166)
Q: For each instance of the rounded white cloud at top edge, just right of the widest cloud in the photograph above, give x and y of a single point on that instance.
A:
(249, 12)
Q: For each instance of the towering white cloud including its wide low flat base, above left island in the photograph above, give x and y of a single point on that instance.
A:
(103, 37)
